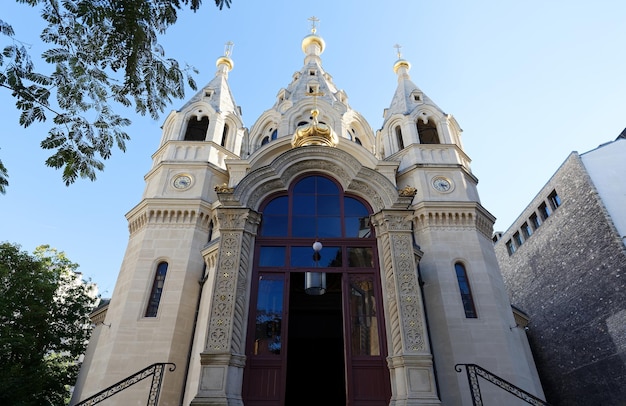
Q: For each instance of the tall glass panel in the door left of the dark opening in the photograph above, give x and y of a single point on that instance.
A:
(269, 315)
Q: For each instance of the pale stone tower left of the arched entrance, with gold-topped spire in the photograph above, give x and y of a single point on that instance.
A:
(151, 317)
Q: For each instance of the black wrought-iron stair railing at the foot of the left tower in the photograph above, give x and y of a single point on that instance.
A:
(154, 370)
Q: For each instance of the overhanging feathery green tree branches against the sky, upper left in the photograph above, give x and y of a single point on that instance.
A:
(103, 53)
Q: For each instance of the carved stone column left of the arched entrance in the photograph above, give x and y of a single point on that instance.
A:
(223, 358)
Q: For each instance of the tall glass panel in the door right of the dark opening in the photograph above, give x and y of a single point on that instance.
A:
(363, 320)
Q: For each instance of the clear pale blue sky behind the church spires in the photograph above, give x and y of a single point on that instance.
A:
(528, 81)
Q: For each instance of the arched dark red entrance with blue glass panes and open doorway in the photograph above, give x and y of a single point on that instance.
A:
(327, 349)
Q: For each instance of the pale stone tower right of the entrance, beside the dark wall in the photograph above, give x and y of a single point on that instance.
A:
(468, 311)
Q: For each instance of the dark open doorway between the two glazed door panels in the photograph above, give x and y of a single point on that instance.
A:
(315, 351)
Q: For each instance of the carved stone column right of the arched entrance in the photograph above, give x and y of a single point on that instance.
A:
(410, 360)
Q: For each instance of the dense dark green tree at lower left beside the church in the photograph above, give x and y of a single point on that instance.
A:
(44, 325)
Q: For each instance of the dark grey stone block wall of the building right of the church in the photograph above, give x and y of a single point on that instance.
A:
(569, 276)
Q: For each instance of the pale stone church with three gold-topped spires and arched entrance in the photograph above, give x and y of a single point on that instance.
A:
(310, 259)
